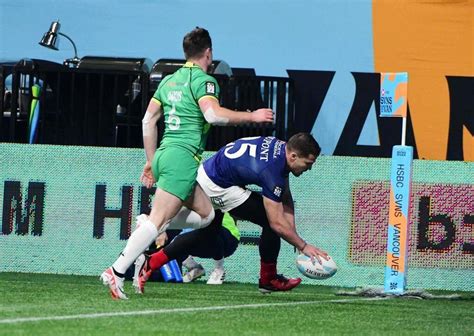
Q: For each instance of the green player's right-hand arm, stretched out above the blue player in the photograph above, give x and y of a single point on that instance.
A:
(218, 115)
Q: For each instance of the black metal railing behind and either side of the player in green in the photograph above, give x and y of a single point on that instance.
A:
(101, 107)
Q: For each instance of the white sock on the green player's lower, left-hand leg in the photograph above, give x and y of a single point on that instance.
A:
(138, 242)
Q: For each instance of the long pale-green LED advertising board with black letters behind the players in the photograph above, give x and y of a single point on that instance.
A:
(70, 209)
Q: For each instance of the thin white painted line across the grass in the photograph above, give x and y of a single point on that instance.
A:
(177, 310)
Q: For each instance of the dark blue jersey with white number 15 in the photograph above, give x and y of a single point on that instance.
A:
(254, 160)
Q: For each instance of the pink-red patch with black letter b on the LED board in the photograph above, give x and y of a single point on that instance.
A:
(441, 234)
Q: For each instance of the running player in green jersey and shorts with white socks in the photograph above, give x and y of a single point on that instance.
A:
(189, 101)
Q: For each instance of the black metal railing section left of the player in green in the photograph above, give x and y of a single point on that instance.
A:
(77, 106)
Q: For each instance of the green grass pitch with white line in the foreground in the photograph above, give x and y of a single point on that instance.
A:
(39, 304)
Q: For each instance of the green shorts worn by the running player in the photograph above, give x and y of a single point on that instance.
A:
(175, 170)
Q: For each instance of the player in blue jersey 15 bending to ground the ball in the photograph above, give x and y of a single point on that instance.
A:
(265, 162)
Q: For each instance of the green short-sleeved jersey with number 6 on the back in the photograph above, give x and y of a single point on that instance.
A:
(179, 96)
